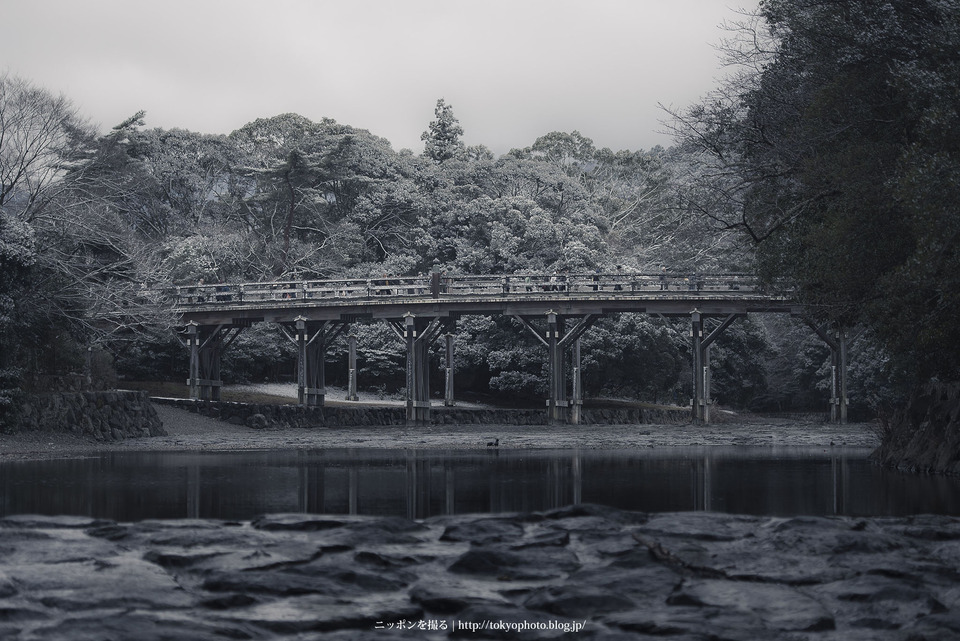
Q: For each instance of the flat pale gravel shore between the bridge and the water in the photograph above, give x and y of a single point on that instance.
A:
(190, 432)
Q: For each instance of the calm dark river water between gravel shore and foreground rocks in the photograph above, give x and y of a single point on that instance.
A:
(421, 483)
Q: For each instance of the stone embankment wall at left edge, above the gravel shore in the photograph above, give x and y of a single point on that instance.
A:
(101, 416)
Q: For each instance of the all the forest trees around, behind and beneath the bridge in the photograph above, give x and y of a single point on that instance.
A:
(827, 160)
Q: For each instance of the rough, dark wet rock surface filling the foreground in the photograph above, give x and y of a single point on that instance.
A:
(598, 572)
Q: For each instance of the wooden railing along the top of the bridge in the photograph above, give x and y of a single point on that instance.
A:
(389, 287)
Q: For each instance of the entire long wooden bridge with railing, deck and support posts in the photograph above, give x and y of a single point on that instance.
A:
(556, 309)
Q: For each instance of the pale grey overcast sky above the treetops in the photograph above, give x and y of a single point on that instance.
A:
(512, 70)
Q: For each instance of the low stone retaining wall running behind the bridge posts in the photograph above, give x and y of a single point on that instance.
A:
(294, 416)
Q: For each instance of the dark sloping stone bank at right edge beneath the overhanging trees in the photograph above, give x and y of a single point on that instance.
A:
(925, 435)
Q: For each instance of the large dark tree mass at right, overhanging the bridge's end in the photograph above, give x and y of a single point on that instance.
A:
(835, 150)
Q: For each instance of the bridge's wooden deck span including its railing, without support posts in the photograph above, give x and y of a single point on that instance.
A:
(393, 297)
